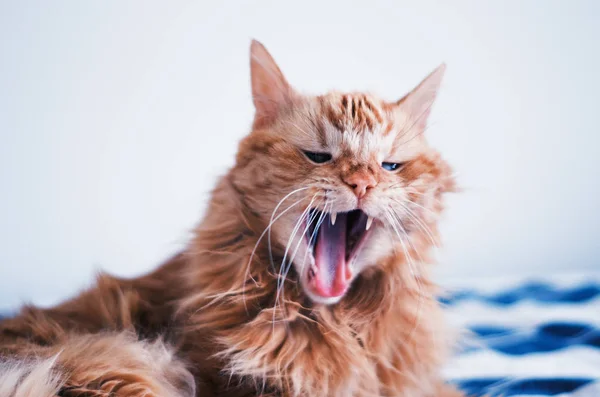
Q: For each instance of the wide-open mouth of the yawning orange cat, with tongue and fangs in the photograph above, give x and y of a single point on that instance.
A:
(335, 240)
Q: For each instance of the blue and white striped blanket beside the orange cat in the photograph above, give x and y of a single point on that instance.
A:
(529, 338)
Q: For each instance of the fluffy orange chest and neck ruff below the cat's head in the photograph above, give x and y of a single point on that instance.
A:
(385, 336)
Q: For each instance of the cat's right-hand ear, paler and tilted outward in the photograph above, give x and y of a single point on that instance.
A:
(416, 105)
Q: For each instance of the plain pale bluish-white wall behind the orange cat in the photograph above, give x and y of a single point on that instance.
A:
(117, 117)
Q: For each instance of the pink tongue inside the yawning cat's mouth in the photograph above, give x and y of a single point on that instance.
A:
(332, 276)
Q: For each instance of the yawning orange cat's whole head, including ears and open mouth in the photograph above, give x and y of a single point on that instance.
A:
(340, 181)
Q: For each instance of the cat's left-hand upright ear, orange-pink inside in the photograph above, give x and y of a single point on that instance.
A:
(270, 90)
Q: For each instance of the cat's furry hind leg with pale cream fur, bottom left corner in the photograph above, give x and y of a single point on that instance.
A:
(96, 365)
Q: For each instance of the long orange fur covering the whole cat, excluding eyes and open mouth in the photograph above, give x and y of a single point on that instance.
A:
(227, 318)
